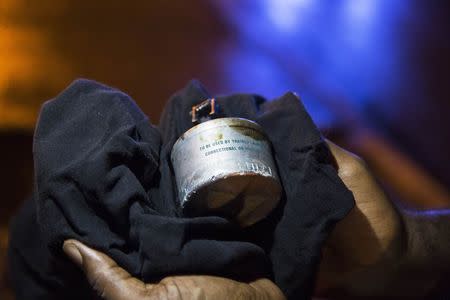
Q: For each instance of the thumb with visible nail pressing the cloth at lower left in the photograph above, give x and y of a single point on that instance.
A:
(109, 280)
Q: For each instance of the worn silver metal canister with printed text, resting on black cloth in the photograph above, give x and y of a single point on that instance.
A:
(225, 167)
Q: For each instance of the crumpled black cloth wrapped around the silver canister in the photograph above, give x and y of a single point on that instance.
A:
(103, 176)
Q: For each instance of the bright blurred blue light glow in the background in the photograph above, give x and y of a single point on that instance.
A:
(340, 50)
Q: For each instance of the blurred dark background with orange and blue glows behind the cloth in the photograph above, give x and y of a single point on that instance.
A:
(374, 74)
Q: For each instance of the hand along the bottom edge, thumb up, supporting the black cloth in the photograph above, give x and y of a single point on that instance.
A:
(112, 282)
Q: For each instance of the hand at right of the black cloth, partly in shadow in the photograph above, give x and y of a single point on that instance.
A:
(364, 248)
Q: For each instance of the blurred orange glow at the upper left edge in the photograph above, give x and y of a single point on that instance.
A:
(26, 60)
